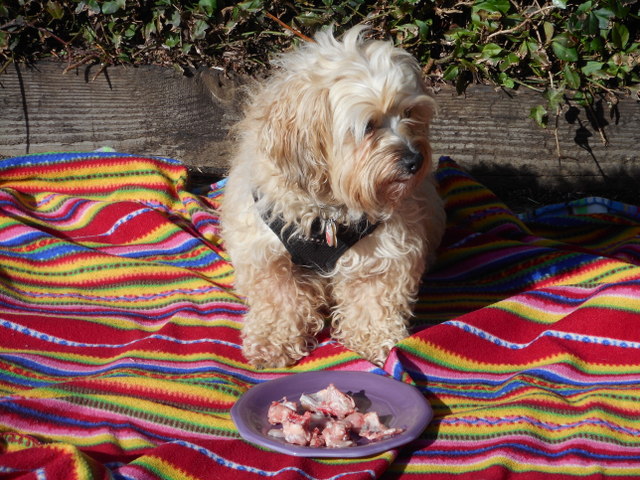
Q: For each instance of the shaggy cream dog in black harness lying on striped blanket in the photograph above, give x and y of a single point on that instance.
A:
(330, 208)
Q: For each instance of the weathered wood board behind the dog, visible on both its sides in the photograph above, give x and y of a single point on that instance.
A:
(153, 110)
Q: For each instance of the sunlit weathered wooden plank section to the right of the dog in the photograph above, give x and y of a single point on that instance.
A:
(489, 126)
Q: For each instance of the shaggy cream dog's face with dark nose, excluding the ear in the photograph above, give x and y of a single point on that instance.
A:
(380, 141)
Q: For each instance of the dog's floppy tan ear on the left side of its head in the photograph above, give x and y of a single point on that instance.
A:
(297, 133)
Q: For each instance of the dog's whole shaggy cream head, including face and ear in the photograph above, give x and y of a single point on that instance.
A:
(347, 122)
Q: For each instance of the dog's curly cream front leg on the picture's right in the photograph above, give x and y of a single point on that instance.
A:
(371, 314)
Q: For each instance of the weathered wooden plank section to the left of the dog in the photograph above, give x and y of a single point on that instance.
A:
(146, 110)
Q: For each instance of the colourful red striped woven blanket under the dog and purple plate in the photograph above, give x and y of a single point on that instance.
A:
(119, 335)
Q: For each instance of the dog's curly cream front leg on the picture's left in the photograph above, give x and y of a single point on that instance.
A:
(283, 316)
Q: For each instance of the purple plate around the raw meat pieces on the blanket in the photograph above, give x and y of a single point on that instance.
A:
(399, 406)
